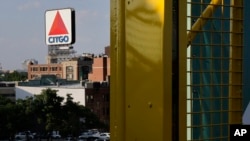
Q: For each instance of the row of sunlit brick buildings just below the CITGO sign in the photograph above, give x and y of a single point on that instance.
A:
(83, 68)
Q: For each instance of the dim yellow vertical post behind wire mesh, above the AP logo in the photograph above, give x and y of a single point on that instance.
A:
(236, 54)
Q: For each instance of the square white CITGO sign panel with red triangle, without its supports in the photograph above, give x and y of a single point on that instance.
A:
(60, 26)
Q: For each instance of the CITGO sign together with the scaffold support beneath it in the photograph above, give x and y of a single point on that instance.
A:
(59, 34)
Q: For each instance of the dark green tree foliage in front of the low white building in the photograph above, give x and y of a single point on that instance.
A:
(44, 113)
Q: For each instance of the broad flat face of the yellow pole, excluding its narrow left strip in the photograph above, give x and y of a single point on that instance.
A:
(148, 71)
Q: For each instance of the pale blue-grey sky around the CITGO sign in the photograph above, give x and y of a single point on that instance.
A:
(22, 29)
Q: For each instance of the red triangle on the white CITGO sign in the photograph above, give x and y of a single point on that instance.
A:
(58, 26)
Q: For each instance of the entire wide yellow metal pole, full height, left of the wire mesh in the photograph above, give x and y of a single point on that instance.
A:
(141, 70)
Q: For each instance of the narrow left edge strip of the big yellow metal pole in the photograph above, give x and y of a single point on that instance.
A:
(117, 97)
